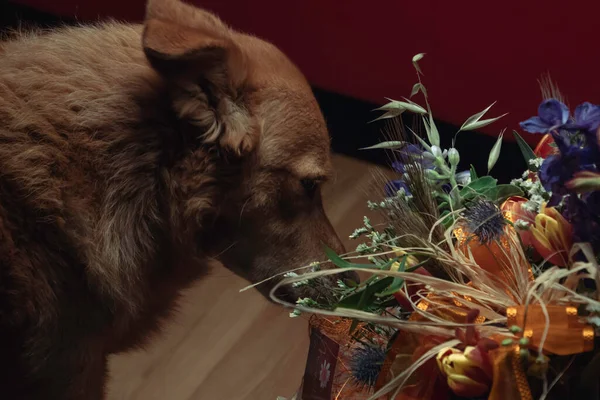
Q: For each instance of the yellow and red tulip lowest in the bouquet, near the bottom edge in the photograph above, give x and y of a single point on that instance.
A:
(468, 373)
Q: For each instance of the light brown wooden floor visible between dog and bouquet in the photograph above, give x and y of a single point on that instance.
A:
(226, 345)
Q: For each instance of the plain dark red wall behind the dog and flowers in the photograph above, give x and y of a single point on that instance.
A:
(478, 51)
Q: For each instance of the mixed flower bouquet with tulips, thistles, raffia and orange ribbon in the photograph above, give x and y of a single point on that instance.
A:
(477, 289)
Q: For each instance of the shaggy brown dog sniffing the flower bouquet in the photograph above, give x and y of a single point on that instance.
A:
(130, 156)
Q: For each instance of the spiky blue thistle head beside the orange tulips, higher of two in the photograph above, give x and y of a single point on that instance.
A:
(484, 220)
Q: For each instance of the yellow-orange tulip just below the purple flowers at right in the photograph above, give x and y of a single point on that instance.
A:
(552, 236)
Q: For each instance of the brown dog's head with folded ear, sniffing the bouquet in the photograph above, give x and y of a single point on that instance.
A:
(247, 100)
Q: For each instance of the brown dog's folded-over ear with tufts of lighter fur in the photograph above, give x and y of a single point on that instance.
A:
(205, 70)
